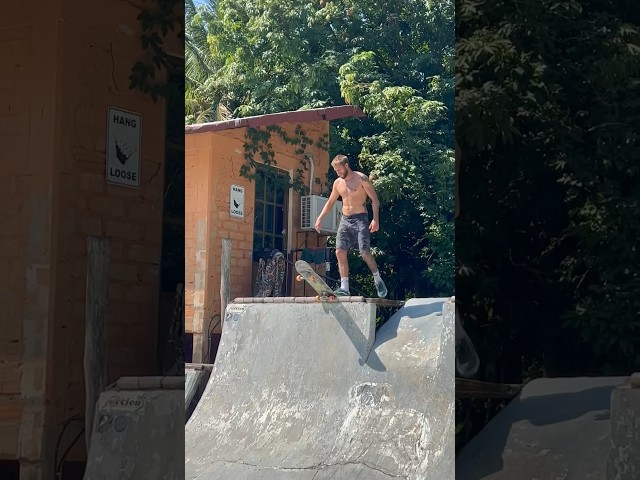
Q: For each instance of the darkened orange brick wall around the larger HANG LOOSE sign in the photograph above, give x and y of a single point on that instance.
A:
(96, 70)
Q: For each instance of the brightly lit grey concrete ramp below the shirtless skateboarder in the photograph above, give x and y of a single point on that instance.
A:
(303, 391)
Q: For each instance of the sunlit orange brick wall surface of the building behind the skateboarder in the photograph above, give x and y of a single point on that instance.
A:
(213, 165)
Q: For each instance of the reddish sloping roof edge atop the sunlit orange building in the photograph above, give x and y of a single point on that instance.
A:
(313, 115)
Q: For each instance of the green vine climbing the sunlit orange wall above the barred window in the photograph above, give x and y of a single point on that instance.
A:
(258, 146)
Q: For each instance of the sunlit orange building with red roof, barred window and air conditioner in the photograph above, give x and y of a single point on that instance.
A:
(257, 216)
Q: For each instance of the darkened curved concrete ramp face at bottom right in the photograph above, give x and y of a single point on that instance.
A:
(556, 429)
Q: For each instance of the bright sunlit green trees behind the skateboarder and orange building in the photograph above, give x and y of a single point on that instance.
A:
(395, 61)
